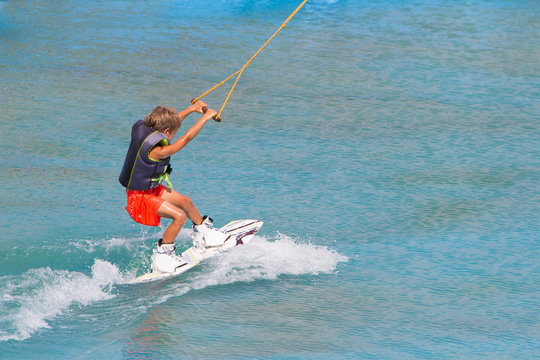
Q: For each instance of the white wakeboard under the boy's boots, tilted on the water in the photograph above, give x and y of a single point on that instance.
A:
(241, 231)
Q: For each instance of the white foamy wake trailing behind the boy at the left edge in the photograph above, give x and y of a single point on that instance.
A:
(39, 295)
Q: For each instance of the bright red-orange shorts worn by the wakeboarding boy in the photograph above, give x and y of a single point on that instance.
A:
(143, 205)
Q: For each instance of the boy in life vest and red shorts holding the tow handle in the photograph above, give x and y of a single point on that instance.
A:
(147, 165)
